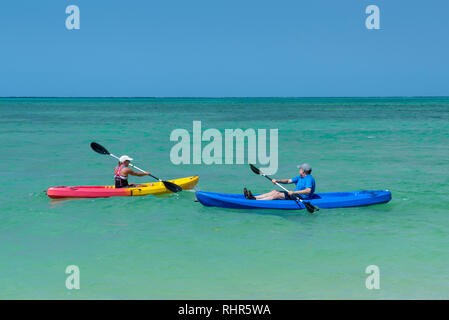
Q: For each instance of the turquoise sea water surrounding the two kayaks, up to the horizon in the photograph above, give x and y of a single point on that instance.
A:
(171, 247)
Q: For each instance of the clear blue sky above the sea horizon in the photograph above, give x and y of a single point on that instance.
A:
(211, 48)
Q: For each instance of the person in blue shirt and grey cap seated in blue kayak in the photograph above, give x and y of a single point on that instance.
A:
(305, 187)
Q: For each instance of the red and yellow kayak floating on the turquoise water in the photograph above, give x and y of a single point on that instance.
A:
(144, 189)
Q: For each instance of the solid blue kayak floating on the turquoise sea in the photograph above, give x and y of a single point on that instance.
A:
(321, 200)
